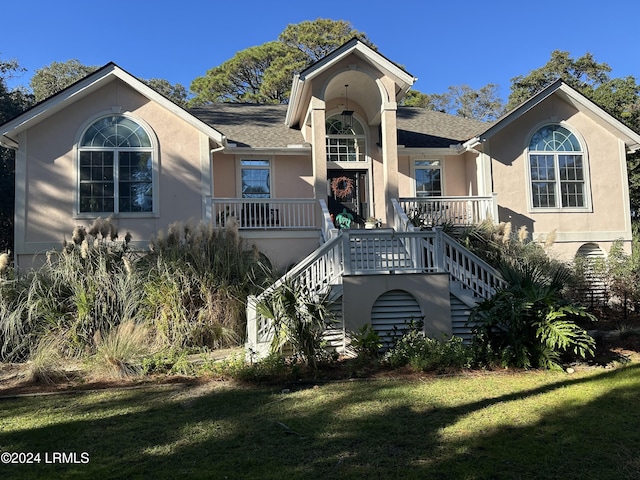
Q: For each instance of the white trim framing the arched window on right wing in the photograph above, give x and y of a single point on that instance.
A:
(585, 162)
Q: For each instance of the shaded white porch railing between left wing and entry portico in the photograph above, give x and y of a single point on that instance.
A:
(265, 213)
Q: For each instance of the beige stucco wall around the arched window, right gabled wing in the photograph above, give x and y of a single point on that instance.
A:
(608, 216)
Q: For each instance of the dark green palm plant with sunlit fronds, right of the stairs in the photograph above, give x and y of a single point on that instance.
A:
(528, 324)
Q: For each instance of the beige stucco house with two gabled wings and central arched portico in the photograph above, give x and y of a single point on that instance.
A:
(341, 151)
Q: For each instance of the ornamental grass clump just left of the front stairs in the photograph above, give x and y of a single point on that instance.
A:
(199, 277)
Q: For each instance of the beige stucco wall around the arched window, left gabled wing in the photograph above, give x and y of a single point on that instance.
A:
(48, 165)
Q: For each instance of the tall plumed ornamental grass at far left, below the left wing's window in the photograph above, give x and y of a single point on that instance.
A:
(78, 291)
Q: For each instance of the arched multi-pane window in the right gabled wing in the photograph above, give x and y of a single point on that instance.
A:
(557, 169)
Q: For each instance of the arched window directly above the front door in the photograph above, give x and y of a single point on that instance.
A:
(344, 144)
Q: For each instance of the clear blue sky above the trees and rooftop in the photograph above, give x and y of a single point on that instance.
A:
(442, 43)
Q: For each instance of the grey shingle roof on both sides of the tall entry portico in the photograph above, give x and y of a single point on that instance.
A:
(262, 126)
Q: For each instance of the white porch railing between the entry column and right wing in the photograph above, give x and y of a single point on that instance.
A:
(434, 211)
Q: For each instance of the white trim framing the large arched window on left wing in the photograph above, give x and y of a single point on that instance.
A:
(155, 161)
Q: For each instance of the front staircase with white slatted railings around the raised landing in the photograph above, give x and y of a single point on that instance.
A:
(378, 252)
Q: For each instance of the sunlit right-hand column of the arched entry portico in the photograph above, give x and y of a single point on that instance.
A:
(389, 157)
